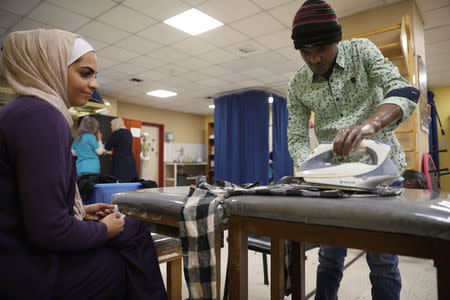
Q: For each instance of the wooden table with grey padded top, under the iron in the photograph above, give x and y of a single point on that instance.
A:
(405, 225)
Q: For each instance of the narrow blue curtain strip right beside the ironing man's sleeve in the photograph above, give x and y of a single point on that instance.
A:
(282, 162)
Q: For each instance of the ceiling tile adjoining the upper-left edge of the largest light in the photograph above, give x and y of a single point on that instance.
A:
(158, 9)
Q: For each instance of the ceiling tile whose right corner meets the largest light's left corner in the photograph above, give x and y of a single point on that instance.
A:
(126, 19)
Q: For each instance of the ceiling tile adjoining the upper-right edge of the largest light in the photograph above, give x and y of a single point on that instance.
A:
(230, 10)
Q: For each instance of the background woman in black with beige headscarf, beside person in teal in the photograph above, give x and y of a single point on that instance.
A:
(121, 142)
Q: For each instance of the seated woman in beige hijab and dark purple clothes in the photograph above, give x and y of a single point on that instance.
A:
(51, 247)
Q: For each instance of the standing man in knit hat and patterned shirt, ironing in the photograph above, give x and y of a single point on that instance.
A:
(355, 93)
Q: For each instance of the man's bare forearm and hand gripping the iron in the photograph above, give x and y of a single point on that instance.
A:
(348, 138)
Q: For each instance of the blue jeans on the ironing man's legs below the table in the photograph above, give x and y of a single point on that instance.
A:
(384, 274)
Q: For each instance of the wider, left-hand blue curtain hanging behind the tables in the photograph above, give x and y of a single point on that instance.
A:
(241, 138)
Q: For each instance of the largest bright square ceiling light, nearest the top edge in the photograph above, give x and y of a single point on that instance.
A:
(193, 22)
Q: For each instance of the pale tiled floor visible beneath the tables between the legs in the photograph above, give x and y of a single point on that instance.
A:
(418, 277)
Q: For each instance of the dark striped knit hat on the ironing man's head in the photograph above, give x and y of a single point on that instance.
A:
(315, 24)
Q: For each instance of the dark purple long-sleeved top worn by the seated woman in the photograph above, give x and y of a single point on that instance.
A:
(37, 186)
